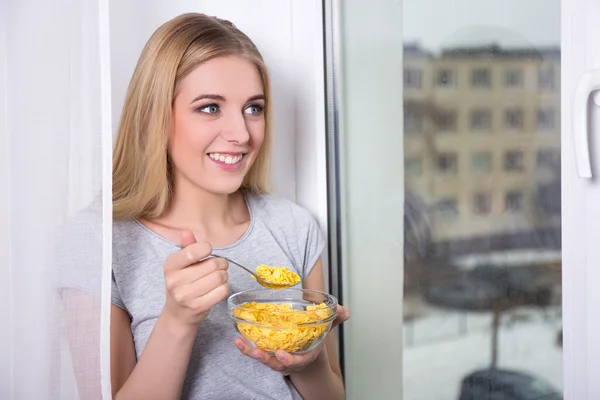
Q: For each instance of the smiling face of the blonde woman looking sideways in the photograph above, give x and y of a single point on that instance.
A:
(218, 125)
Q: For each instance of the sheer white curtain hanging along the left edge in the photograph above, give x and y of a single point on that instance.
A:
(55, 208)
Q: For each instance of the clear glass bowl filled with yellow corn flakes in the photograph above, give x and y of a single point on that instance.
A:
(293, 320)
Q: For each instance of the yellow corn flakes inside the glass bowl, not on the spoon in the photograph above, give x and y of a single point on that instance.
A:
(281, 327)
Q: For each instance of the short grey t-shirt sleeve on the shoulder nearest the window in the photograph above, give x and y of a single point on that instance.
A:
(311, 240)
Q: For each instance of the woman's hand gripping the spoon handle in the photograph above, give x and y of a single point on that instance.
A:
(193, 287)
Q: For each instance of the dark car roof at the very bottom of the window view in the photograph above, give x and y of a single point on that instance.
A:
(500, 384)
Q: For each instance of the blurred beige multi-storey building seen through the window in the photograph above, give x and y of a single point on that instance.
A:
(482, 146)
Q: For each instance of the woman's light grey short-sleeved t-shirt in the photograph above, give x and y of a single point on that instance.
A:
(280, 233)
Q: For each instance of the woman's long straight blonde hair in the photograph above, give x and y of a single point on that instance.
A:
(142, 180)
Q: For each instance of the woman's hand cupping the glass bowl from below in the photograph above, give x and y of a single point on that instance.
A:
(287, 363)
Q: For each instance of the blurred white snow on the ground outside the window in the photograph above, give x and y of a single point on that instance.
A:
(444, 346)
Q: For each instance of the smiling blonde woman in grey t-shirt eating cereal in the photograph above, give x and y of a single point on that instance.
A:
(189, 179)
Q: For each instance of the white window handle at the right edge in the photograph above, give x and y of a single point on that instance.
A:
(587, 83)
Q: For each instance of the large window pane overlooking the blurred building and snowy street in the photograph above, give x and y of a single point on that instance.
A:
(458, 294)
